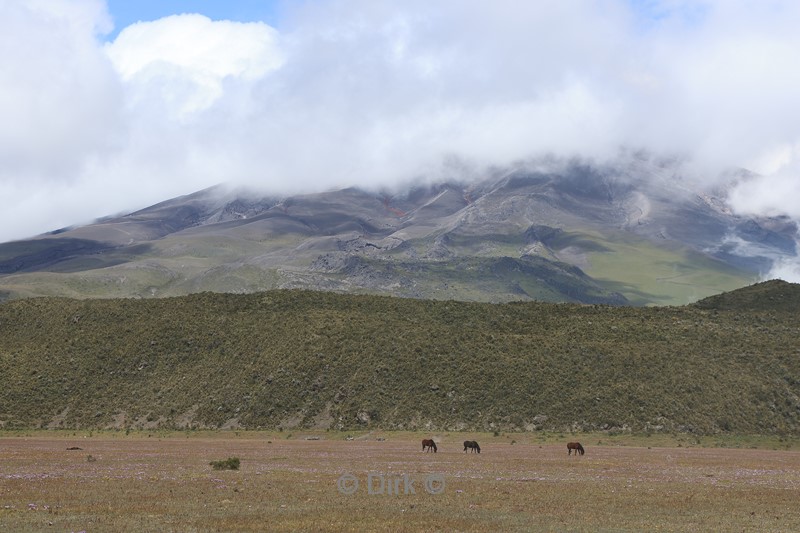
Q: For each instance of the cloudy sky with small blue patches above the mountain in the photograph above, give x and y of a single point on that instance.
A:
(111, 106)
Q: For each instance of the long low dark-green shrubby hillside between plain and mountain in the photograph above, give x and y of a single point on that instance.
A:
(287, 359)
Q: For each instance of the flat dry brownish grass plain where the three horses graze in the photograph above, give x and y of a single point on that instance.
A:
(164, 483)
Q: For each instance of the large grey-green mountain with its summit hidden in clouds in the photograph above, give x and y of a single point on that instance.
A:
(633, 233)
